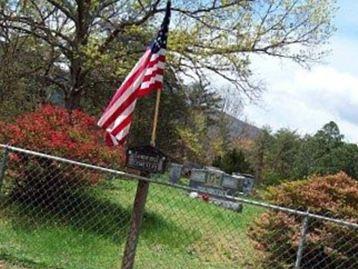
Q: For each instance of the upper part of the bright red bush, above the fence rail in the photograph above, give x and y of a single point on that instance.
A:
(57, 131)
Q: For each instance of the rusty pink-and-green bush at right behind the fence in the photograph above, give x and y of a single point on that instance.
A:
(327, 244)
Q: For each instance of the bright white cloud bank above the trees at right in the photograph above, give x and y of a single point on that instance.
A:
(306, 100)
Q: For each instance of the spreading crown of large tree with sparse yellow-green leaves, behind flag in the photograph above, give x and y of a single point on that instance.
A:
(92, 44)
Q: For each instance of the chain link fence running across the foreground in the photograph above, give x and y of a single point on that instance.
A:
(58, 213)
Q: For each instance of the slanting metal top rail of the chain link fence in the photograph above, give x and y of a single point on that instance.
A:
(126, 175)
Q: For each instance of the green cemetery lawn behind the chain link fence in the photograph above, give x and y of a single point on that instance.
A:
(177, 232)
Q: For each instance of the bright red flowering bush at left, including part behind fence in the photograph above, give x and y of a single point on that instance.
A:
(60, 132)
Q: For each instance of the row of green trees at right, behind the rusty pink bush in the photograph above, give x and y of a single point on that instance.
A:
(284, 155)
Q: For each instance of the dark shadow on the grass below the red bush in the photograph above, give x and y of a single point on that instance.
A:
(89, 211)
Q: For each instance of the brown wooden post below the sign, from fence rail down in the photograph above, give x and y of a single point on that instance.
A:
(136, 220)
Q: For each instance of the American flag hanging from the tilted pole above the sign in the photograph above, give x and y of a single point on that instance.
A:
(146, 76)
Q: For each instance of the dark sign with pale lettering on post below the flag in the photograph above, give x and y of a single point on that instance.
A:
(146, 159)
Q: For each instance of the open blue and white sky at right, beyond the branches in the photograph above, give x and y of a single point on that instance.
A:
(304, 100)
